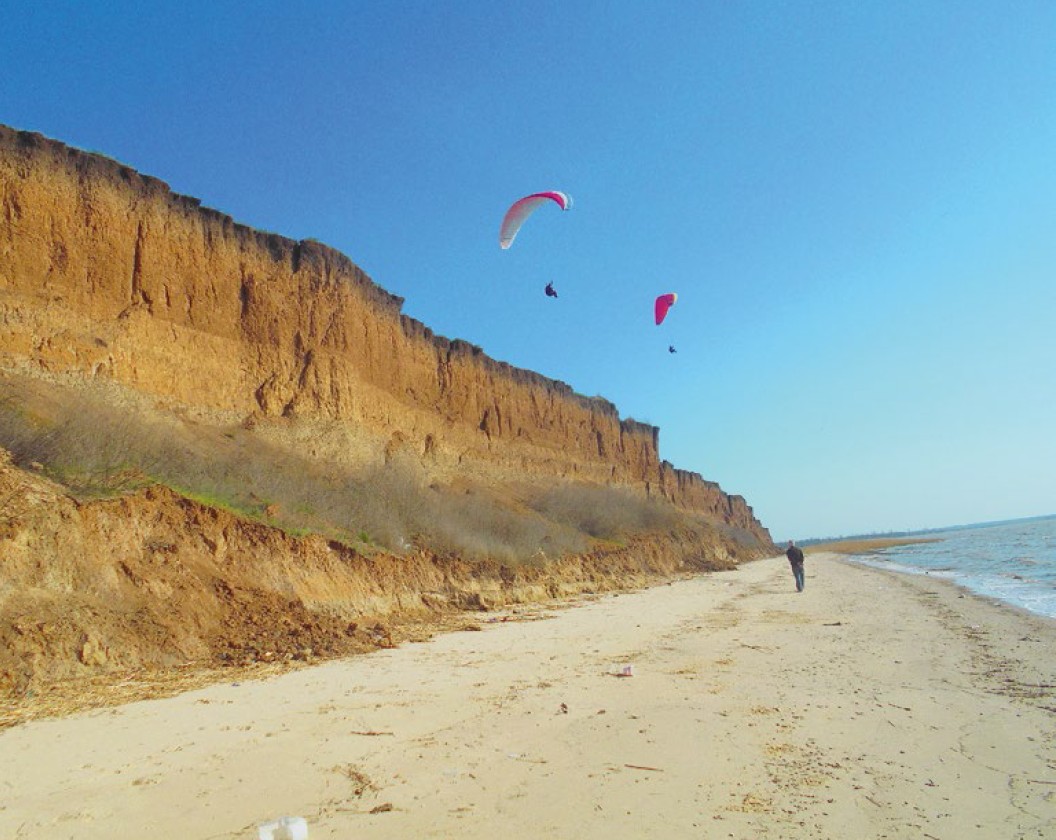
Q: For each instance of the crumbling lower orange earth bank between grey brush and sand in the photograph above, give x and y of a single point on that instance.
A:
(152, 581)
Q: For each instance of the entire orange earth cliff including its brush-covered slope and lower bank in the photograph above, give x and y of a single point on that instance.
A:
(239, 394)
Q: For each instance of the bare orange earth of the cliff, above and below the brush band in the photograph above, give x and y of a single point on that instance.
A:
(112, 284)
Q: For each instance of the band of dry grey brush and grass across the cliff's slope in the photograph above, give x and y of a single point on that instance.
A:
(99, 449)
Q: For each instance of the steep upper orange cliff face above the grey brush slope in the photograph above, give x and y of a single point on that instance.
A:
(108, 275)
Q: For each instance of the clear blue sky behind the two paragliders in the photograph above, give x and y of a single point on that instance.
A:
(855, 201)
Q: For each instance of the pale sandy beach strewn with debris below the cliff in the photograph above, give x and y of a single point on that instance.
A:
(871, 706)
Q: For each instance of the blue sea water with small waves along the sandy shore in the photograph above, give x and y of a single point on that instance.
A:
(1014, 563)
